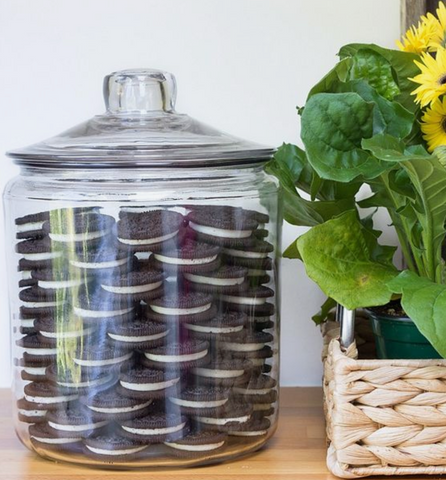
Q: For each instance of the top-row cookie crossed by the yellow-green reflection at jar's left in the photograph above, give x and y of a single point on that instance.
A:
(79, 229)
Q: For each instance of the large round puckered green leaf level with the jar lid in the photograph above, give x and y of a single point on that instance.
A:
(333, 126)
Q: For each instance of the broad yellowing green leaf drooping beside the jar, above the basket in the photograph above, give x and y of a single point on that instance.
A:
(338, 256)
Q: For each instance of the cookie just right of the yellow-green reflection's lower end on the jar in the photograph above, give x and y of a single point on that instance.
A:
(102, 356)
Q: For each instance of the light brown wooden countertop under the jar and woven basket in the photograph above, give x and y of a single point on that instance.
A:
(296, 452)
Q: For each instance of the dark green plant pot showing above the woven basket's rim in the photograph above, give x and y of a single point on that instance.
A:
(398, 338)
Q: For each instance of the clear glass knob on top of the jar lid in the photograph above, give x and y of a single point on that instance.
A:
(139, 91)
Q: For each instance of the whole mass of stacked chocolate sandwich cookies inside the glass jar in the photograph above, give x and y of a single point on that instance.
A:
(157, 328)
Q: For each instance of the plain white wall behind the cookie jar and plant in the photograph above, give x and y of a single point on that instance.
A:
(241, 65)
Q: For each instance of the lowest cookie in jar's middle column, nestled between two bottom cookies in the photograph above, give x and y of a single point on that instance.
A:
(156, 427)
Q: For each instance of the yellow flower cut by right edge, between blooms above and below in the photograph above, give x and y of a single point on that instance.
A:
(432, 78)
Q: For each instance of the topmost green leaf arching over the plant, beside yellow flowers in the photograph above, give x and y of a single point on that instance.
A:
(403, 68)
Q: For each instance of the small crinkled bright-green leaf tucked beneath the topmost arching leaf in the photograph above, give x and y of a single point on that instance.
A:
(376, 70)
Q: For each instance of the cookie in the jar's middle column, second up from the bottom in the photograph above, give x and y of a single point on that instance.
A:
(148, 383)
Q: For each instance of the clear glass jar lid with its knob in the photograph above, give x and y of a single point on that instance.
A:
(141, 129)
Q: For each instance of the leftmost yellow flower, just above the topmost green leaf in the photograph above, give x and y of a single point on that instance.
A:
(419, 39)
